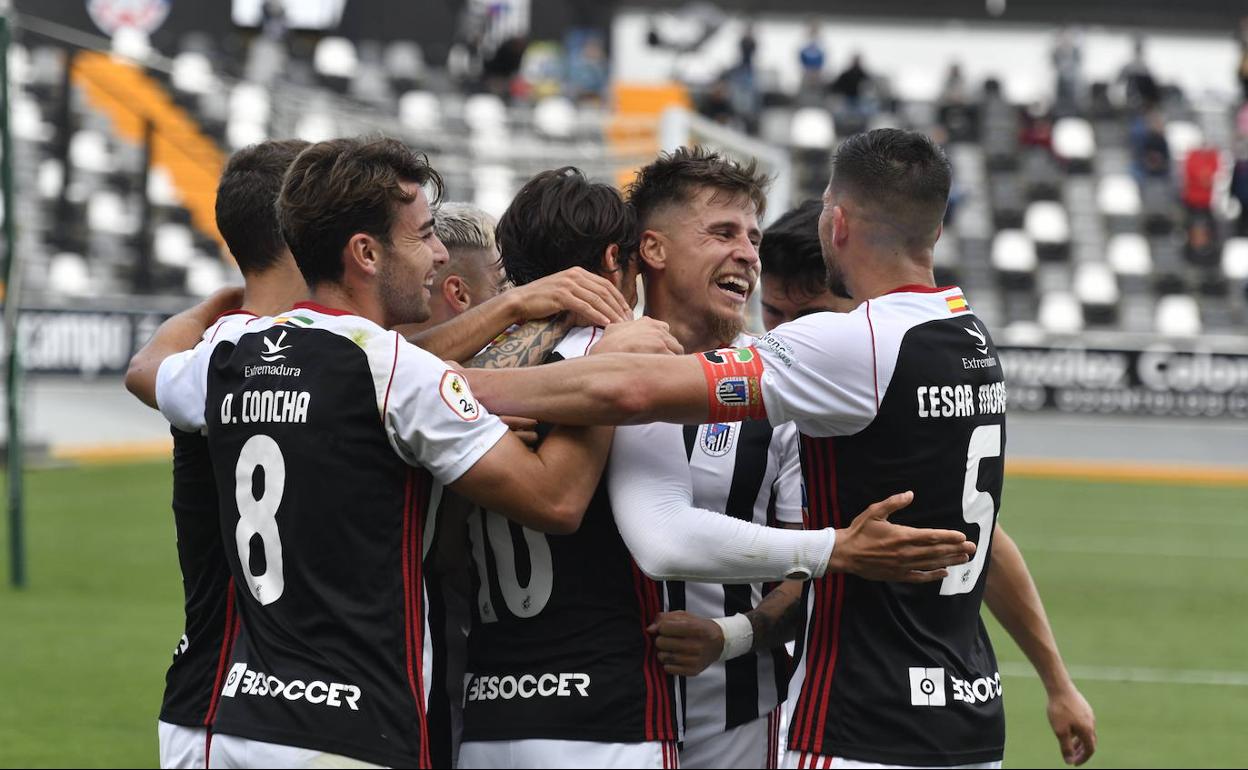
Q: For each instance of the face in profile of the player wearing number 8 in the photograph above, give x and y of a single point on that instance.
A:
(411, 263)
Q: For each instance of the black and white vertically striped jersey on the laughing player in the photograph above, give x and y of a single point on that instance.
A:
(752, 472)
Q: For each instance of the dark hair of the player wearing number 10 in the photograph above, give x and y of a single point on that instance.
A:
(562, 220)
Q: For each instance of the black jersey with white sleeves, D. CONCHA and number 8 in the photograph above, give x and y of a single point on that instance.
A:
(326, 435)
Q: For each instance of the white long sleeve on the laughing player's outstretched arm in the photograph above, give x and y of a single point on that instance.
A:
(671, 540)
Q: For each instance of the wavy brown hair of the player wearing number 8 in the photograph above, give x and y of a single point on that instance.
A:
(341, 188)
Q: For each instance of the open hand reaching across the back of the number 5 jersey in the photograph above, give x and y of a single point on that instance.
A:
(878, 550)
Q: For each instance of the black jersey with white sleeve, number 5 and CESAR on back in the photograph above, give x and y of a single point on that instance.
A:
(905, 392)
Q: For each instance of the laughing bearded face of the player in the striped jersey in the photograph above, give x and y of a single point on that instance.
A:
(713, 259)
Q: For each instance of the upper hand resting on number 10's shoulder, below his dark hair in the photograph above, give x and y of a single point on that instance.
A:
(591, 300)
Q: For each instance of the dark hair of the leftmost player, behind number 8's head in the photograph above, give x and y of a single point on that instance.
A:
(246, 203)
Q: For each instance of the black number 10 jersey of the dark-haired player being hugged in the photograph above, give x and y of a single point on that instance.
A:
(558, 647)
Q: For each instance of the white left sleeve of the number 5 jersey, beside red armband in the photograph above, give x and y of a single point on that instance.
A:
(822, 374)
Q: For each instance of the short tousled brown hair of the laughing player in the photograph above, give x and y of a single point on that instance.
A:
(676, 178)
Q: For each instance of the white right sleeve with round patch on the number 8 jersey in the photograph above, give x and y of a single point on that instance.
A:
(431, 416)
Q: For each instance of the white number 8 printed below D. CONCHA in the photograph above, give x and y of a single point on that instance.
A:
(259, 517)
